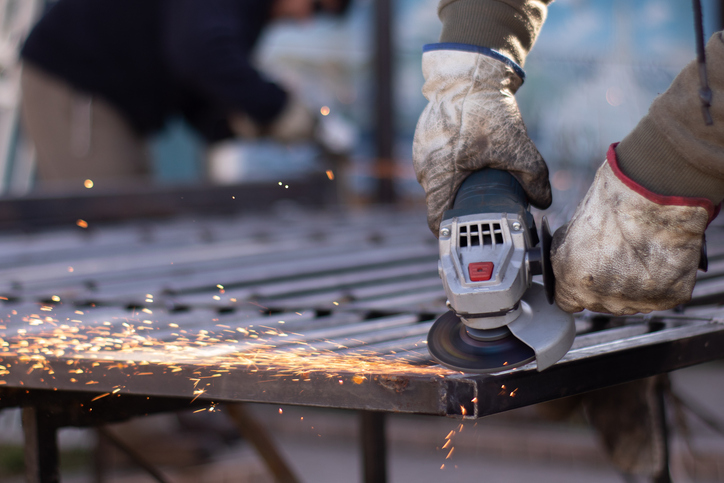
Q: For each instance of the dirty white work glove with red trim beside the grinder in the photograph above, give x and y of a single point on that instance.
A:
(628, 250)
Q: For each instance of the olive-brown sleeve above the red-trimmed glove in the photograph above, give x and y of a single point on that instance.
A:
(672, 151)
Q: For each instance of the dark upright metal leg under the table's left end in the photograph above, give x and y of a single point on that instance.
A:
(41, 447)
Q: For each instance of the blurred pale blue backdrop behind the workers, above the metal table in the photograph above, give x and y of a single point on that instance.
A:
(591, 76)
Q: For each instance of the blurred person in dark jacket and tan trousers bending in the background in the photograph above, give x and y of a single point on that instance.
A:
(101, 76)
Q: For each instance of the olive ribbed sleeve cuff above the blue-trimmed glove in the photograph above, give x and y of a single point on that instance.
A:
(508, 26)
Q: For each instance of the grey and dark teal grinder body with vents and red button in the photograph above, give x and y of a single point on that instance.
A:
(486, 262)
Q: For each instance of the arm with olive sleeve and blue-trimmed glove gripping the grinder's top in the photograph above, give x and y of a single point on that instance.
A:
(472, 120)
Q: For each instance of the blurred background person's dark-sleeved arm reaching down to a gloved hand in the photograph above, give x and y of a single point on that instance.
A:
(209, 44)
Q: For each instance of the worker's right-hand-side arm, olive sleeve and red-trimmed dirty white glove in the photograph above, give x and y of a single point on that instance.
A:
(633, 244)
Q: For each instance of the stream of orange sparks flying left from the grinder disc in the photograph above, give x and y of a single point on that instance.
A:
(128, 344)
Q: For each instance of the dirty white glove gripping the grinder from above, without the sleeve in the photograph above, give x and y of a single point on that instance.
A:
(472, 122)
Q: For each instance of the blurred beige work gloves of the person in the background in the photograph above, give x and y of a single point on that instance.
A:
(294, 124)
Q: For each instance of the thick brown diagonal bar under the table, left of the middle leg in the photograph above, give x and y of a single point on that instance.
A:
(253, 432)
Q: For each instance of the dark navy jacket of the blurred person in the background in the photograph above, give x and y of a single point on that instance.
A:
(157, 58)
